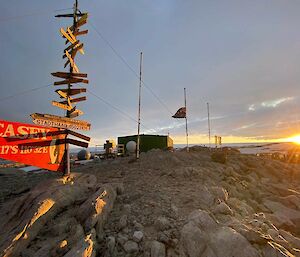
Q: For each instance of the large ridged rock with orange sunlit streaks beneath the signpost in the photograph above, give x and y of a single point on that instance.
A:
(45, 211)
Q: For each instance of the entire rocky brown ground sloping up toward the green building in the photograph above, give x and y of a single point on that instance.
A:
(175, 204)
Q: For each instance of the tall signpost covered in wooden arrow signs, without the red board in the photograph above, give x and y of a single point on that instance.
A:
(73, 76)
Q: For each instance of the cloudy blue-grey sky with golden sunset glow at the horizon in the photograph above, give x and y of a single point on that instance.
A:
(243, 57)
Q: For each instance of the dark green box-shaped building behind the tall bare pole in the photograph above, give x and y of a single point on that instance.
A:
(148, 142)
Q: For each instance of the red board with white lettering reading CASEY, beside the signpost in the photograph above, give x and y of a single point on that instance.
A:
(39, 146)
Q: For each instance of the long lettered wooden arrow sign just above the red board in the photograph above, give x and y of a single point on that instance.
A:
(59, 122)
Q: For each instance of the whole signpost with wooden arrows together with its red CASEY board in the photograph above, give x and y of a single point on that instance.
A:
(46, 144)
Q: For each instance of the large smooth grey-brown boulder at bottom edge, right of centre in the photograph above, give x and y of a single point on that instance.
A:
(202, 236)
